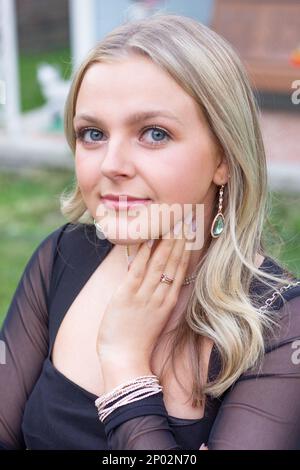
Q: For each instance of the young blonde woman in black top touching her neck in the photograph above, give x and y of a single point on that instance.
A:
(186, 346)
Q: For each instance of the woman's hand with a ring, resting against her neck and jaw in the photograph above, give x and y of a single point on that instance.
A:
(141, 306)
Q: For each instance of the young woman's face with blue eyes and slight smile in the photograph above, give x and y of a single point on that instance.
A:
(119, 151)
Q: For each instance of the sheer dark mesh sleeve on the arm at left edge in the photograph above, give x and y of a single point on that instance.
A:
(24, 341)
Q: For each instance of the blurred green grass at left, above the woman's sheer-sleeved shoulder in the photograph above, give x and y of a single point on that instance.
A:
(29, 210)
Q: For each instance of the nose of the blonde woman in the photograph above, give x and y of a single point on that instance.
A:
(118, 160)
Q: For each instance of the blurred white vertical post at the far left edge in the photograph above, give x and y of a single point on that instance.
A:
(10, 110)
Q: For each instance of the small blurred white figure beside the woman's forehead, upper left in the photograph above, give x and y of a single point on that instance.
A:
(54, 90)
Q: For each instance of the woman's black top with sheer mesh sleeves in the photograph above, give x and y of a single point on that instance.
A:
(40, 408)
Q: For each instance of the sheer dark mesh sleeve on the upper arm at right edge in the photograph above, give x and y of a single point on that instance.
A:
(262, 409)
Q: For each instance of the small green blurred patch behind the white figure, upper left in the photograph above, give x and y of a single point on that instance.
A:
(31, 96)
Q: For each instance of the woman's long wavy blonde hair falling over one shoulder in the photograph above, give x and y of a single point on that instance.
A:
(220, 307)
